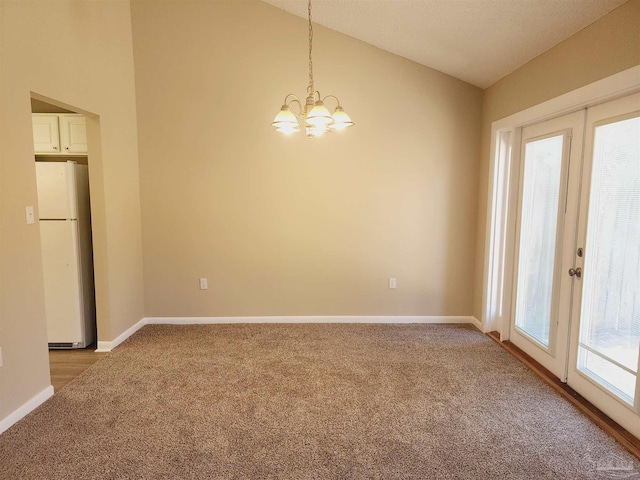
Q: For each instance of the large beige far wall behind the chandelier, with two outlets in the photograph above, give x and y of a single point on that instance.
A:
(287, 225)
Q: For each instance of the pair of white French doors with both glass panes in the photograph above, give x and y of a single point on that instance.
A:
(576, 298)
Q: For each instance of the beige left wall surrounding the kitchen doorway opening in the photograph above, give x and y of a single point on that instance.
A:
(79, 54)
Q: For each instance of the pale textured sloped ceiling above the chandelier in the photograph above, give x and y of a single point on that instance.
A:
(478, 41)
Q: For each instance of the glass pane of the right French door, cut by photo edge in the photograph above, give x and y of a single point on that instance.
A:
(610, 320)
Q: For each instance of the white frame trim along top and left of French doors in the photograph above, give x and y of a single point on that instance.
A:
(500, 223)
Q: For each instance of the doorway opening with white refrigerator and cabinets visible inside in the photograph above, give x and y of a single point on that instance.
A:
(64, 218)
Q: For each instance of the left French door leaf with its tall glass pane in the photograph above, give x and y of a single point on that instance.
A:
(549, 177)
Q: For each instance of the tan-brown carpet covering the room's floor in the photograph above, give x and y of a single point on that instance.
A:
(308, 401)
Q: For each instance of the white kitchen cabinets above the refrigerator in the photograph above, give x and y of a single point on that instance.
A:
(59, 134)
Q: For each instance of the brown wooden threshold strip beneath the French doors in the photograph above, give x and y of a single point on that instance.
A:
(622, 436)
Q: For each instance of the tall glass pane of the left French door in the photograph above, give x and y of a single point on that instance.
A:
(537, 251)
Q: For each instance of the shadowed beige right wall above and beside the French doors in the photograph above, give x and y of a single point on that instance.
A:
(608, 46)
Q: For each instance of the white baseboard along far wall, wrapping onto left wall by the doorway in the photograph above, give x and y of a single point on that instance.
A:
(108, 346)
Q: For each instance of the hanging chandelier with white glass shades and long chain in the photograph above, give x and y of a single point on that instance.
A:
(316, 117)
